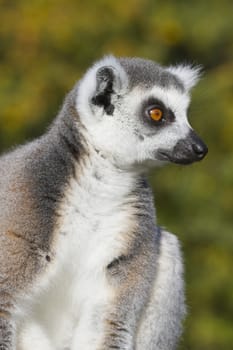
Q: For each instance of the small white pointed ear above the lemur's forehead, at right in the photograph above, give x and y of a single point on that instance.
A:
(189, 75)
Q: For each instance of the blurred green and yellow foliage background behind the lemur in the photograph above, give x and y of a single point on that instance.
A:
(45, 46)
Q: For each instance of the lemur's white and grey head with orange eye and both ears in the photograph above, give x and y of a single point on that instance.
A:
(135, 111)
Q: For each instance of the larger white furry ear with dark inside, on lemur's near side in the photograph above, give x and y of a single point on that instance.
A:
(102, 81)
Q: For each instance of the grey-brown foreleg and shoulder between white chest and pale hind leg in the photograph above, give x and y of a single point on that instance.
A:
(135, 288)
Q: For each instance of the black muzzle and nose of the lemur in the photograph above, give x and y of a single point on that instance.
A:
(186, 151)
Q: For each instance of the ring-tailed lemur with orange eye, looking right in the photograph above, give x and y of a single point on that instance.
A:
(83, 263)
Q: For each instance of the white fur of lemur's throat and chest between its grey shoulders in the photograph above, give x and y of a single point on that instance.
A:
(70, 307)
